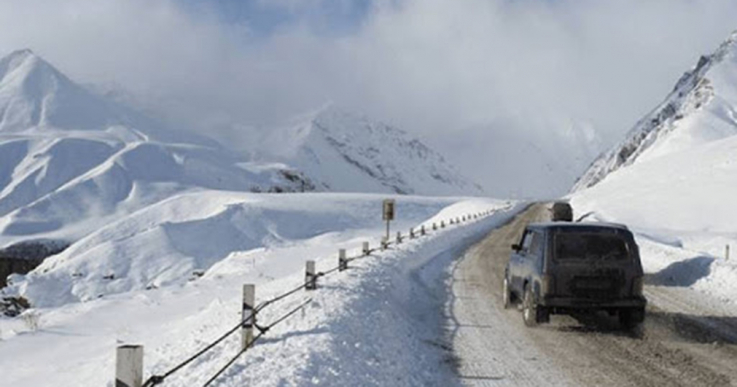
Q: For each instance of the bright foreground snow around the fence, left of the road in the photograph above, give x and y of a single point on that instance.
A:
(380, 323)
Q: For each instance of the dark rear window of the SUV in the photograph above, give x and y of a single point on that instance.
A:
(590, 246)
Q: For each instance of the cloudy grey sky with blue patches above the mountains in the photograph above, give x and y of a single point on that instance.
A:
(461, 74)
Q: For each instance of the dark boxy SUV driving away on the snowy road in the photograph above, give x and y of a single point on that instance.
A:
(561, 267)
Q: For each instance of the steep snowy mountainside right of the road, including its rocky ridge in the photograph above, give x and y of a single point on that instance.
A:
(674, 181)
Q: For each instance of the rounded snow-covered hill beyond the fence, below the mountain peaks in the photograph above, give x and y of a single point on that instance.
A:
(167, 242)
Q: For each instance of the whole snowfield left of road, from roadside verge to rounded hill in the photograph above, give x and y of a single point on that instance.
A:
(379, 323)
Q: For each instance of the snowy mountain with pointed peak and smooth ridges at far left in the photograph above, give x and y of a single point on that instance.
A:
(71, 160)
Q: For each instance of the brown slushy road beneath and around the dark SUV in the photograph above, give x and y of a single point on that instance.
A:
(688, 339)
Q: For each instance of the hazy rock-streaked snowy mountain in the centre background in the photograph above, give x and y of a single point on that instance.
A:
(348, 152)
